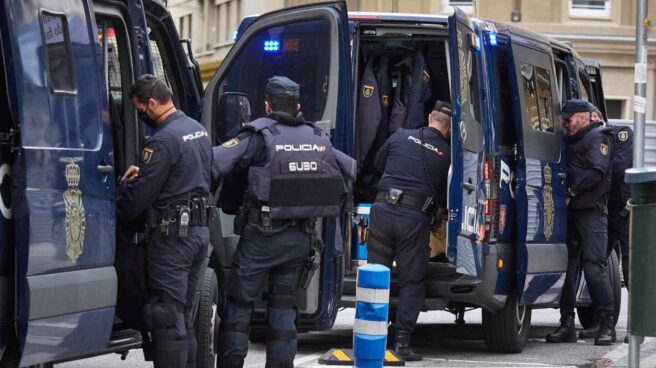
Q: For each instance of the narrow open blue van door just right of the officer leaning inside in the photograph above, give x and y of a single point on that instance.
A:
(466, 221)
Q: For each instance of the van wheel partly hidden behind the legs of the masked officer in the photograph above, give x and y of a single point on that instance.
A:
(207, 323)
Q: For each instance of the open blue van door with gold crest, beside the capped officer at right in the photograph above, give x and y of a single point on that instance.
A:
(541, 185)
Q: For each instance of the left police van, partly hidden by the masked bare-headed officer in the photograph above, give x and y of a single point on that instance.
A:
(71, 281)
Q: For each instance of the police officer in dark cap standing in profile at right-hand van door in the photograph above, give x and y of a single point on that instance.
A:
(588, 168)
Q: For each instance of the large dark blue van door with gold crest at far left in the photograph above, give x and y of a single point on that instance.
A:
(63, 181)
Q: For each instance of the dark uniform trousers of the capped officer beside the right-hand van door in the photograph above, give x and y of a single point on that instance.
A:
(587, 232)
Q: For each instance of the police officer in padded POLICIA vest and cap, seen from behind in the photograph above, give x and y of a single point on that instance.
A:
(292, 177)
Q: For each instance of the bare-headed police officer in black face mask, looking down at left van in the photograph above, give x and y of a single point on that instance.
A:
(171, 184)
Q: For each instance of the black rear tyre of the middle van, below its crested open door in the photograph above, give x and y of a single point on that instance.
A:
(506, 331)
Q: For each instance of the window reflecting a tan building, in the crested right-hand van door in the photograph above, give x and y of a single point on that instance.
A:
(537, 94)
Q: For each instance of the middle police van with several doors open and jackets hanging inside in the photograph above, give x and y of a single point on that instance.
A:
(505, 243)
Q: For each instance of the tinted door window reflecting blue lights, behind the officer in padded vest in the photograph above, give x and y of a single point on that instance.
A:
(299, 51)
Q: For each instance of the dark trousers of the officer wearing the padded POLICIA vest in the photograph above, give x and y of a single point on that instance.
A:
(279, 257)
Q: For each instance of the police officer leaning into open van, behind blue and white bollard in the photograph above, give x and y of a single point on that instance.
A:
(414, 163)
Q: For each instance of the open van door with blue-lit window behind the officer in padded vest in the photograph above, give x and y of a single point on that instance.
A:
(310, 45)
